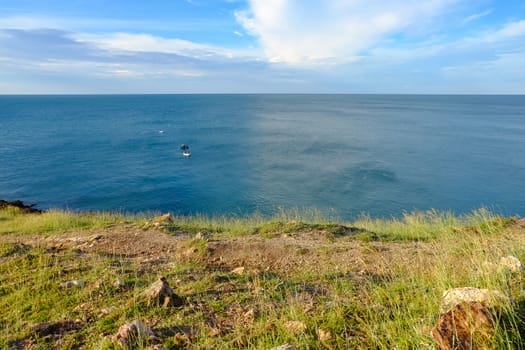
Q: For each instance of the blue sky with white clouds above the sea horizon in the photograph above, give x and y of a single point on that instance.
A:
(262, 46)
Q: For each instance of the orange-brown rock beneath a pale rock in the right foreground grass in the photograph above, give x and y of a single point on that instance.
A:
(468, 325)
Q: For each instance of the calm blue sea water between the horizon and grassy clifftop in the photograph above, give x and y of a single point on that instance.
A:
(348, 154)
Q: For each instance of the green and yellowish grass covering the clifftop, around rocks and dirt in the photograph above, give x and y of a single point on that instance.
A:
(392, 304)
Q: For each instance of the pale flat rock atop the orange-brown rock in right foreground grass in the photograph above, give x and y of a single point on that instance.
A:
(453, 297)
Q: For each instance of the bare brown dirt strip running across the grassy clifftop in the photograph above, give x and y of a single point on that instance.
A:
(314, 251)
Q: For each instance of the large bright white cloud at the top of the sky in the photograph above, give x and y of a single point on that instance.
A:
(319, 31)
